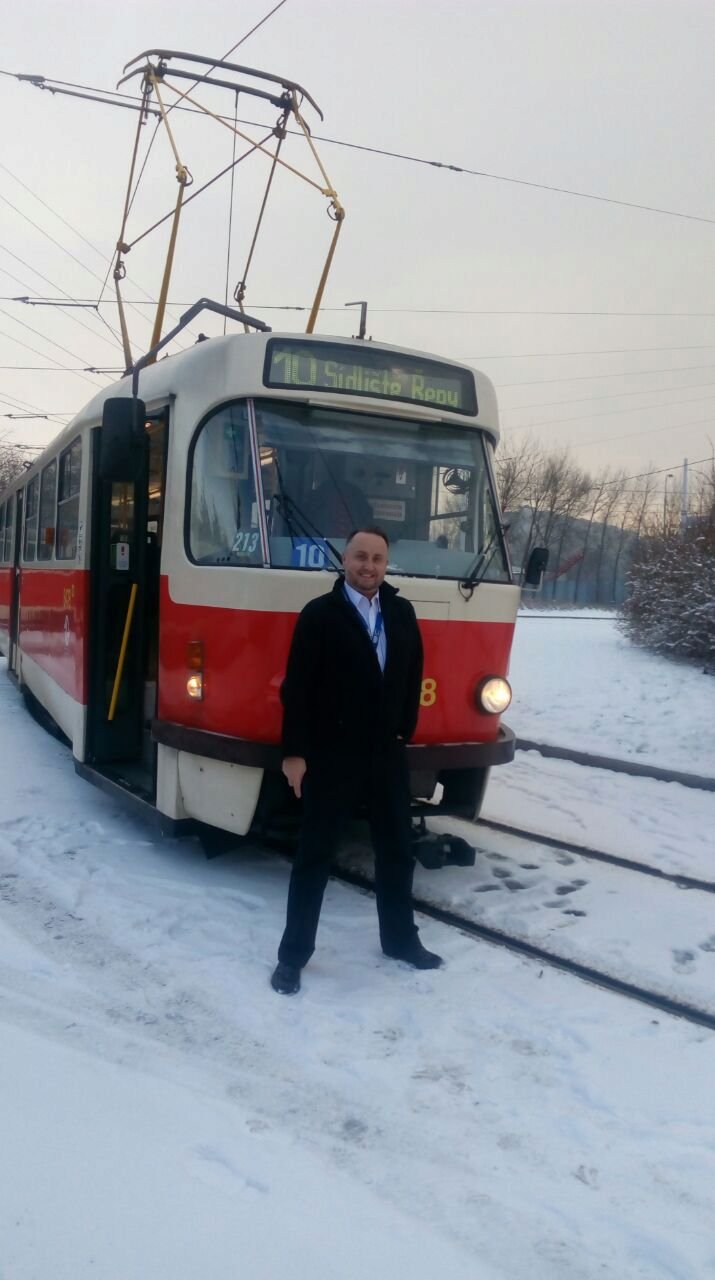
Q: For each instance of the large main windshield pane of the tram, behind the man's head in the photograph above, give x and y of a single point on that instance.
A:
(327, 472)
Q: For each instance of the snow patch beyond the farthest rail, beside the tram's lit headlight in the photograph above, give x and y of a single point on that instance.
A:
(579, 683)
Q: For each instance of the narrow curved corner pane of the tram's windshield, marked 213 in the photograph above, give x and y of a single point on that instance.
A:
(224, 513)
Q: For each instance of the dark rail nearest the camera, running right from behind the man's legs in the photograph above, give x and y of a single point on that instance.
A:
(520, 947)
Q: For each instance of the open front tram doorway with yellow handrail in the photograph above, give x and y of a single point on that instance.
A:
(129, 484)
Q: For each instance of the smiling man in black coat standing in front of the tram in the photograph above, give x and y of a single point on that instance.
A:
(351, 701)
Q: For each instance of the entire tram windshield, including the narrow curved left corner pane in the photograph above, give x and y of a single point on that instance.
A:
(328, 472)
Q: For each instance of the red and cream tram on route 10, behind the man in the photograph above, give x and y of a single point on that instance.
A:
(155, 557)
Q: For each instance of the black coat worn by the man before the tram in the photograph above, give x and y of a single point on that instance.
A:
(336, 697)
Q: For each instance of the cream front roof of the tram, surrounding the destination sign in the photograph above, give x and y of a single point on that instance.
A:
(216, 359)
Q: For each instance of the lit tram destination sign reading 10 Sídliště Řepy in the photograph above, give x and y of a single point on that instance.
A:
(327, 367)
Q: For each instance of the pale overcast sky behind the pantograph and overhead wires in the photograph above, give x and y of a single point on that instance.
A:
(594, 319)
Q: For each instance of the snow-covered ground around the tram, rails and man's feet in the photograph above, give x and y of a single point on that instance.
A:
(163, 1114)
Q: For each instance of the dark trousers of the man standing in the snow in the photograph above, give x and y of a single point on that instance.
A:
(331, 792)
